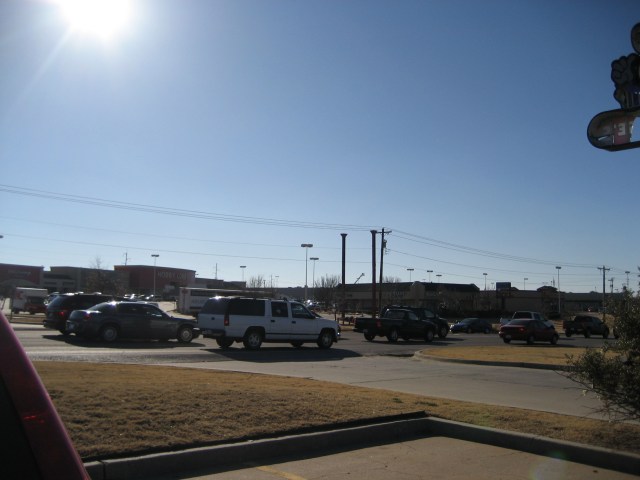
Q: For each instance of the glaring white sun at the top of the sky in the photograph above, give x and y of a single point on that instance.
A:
(103, 18)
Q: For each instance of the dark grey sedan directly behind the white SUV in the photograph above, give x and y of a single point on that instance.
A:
(112, 320)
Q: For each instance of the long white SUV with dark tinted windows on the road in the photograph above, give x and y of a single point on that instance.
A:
(256, 320)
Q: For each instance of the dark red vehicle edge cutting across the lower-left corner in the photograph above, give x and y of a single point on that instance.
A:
(34, 439)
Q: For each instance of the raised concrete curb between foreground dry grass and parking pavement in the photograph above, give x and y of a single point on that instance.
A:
(313, 444)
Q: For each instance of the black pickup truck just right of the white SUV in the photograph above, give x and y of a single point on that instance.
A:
(394, 324)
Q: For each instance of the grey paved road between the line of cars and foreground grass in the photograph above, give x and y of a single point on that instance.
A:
(390, 367)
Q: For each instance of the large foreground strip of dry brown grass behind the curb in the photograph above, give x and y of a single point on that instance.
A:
(115, 410)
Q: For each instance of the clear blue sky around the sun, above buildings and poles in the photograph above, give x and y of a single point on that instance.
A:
(226, 133)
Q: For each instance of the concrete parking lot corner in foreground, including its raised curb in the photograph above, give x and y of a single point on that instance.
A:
(401, 449)
